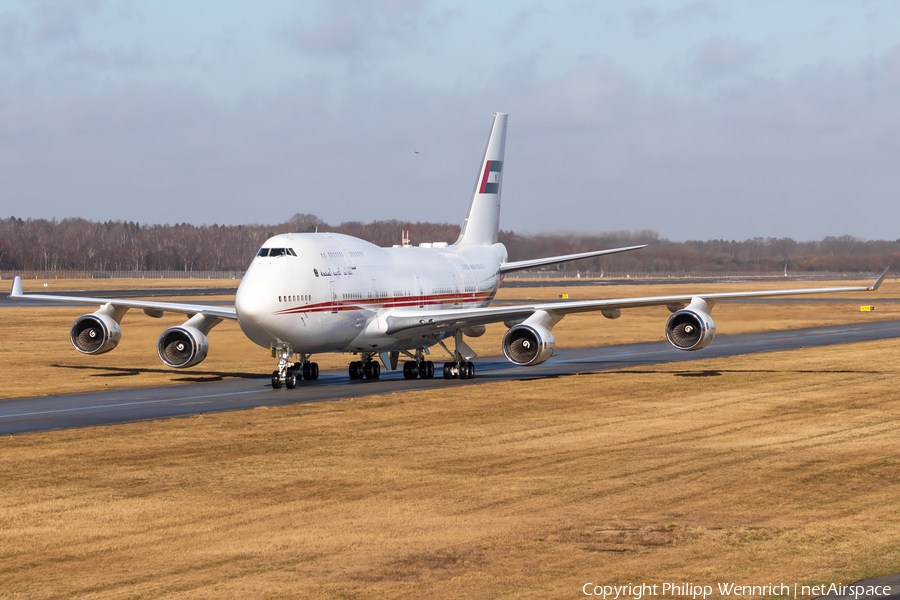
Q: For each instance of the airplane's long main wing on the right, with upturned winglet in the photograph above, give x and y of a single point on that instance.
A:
(426, 322)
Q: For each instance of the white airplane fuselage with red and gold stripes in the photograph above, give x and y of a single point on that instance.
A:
(328, 292)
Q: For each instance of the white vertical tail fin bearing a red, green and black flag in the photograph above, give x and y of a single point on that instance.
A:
(483, 219)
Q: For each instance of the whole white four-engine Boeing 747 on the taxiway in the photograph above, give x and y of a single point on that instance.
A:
(309, 293)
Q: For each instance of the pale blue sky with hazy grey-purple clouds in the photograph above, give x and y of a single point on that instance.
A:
(700, 120)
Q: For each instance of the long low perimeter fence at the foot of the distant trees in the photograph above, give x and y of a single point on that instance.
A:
(518, 275)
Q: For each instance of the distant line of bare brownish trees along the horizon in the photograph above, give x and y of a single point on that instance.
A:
(79, 244)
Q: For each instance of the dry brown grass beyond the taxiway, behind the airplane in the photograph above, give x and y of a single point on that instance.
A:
(39, 359)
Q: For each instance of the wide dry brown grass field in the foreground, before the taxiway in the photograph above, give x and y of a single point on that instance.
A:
(756, 469)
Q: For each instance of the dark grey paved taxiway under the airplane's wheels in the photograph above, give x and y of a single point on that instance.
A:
(105, 408)
